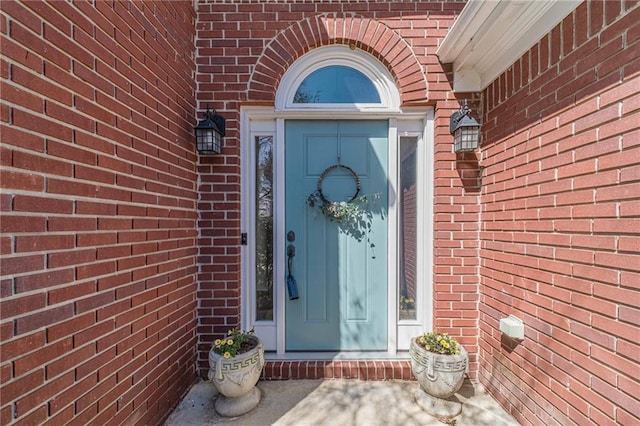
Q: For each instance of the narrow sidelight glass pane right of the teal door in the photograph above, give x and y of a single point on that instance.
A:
(408, 234)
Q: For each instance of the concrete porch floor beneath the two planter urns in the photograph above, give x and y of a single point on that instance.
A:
(347, 402)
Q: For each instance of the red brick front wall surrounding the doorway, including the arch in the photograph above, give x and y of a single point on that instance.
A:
(243, 49)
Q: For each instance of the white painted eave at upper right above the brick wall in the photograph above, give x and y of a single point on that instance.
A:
(490, 35)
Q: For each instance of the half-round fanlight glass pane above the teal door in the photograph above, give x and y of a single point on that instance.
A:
(336, 84)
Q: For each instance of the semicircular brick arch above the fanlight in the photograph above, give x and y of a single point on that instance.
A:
(358, 32)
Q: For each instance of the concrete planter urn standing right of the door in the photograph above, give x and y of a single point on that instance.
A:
(440, 377)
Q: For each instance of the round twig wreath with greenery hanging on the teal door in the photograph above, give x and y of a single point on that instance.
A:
(345, 212)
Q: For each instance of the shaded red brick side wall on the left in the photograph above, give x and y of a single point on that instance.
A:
(98, 211)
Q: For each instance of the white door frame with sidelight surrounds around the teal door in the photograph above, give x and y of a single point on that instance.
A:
(264, 121)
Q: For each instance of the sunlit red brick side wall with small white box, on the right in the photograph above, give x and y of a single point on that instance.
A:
(560, 237)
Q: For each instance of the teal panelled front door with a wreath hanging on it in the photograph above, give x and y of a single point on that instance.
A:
(340, 269)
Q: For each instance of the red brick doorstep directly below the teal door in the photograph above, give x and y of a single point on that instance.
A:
(338, 369)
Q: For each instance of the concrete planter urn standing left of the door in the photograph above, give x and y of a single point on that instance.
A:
(236, 377)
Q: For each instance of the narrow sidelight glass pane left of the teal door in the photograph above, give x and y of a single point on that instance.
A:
(264, 228)
